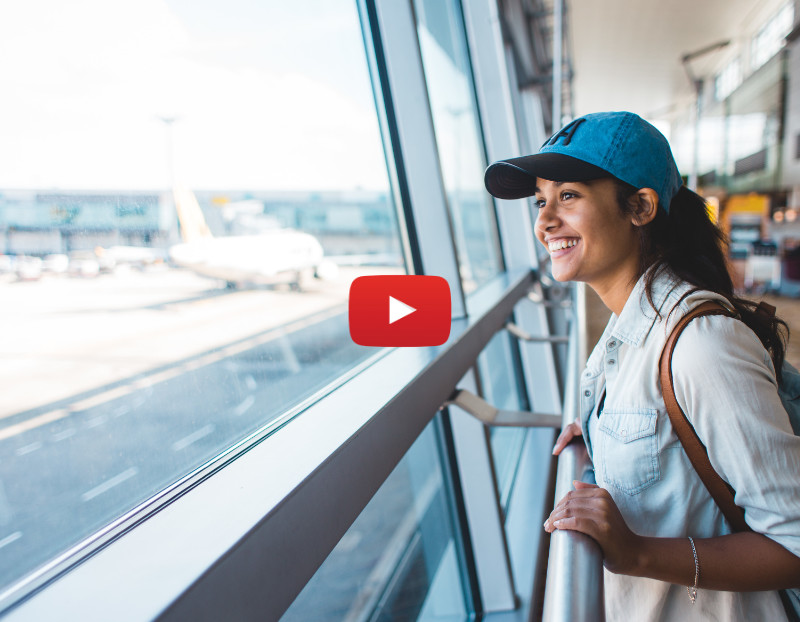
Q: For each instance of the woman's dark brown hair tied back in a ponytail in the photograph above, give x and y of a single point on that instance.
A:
(687, 243)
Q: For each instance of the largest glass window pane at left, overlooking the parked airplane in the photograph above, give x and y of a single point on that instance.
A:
(140, 345)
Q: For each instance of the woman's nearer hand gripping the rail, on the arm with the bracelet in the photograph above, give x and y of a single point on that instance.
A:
(590, 509)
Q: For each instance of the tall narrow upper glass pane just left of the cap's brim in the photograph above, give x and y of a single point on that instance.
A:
(451, 91)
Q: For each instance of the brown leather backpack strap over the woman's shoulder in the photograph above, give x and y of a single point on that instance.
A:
(720, 491)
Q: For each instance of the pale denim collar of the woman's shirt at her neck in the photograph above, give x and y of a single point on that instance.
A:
(638, 316)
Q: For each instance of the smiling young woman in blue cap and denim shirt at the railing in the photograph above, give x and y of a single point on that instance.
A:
(613, 213)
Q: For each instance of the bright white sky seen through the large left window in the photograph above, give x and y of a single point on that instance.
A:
(264, 95)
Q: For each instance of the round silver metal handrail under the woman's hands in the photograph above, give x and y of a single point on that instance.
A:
(574, 586)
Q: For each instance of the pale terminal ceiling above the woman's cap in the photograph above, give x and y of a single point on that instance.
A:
(626, 54)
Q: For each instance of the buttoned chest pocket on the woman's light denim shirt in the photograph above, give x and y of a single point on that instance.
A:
(627, 449)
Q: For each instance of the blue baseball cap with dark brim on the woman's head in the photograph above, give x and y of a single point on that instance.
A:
(597, 145)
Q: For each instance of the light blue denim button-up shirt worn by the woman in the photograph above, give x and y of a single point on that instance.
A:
(725, 383)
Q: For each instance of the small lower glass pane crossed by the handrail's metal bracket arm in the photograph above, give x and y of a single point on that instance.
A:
(502, 387)
